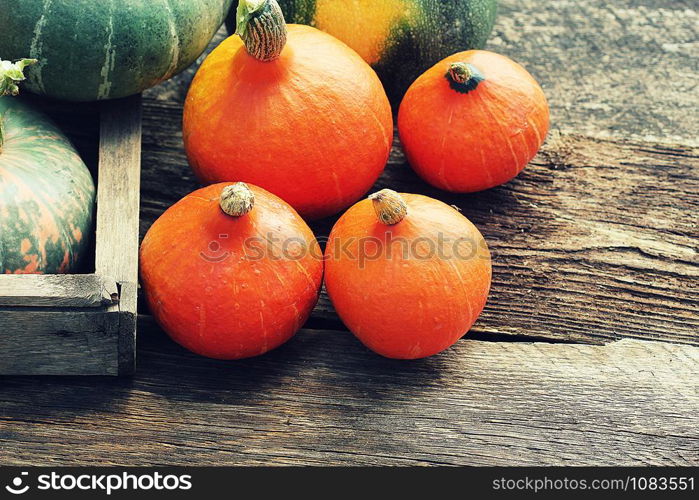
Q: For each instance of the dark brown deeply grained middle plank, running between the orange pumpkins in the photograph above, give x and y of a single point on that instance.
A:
(595, 241)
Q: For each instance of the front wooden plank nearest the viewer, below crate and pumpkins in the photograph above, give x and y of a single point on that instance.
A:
(324, 399)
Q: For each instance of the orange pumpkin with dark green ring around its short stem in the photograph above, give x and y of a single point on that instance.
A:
(473, 121)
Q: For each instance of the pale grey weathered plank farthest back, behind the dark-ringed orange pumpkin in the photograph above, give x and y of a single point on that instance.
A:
(625, 69)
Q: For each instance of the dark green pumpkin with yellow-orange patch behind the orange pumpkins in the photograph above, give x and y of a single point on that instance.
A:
(400, 38)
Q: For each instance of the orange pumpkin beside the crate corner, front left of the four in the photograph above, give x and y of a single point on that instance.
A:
(231, 271)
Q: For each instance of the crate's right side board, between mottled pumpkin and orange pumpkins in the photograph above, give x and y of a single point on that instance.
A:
(118, 190)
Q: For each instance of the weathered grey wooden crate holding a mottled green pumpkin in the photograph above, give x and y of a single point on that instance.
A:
(85, 324)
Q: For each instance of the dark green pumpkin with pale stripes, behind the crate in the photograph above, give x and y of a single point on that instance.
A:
(90, 50)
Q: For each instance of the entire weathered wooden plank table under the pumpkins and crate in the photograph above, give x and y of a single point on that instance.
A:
(588, 350)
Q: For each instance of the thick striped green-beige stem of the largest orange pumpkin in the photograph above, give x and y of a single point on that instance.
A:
(262, 27)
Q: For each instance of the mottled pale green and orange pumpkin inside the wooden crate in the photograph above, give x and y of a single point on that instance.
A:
(47, 195)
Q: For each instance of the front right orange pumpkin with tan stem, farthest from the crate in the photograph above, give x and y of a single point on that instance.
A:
(407, 274)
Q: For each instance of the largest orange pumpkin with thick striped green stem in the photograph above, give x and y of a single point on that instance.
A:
(297, 113)
